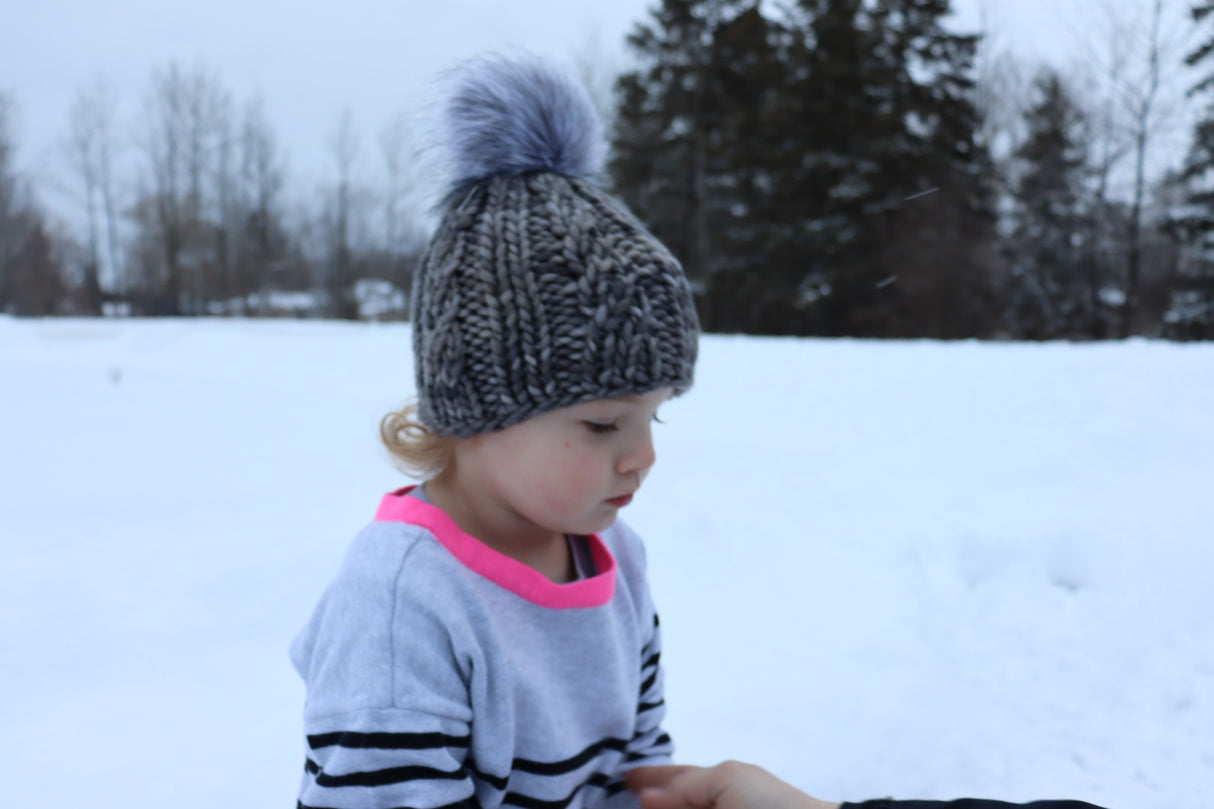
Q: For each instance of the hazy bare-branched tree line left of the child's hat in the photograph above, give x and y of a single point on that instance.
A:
(189, 212)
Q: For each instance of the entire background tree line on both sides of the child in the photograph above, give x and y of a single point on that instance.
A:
(821, 168)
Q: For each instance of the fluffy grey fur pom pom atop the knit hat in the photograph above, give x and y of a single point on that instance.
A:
(515, 116)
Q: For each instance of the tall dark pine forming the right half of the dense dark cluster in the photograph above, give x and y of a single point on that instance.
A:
(889, 116)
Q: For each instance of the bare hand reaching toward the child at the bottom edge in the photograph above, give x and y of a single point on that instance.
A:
(731, 785)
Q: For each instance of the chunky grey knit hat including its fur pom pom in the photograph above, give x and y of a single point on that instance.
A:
(540, 290)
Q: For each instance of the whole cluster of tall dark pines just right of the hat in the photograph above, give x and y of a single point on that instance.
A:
(775, 156)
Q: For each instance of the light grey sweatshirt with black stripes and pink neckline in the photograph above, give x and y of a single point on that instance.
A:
(441, 674)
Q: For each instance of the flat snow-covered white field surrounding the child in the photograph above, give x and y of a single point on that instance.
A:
(911, 569)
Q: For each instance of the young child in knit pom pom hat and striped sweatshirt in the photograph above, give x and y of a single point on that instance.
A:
(490, 640)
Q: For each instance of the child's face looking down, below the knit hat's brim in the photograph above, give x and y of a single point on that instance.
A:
(569, 471)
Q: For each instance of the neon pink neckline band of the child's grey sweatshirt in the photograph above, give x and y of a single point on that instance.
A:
(502, 570)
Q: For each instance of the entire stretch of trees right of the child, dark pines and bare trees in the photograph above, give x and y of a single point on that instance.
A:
(848, 168)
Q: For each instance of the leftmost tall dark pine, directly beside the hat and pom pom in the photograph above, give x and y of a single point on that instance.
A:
(678, 120)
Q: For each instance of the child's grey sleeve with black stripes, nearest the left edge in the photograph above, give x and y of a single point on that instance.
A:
(388, 719)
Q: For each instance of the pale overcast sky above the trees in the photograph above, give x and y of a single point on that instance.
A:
(311, 60)
